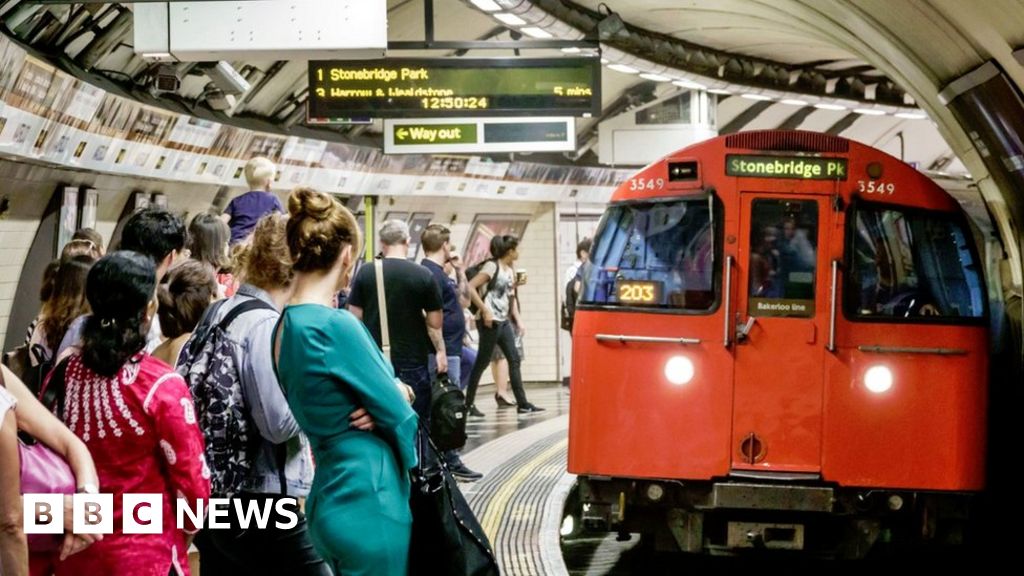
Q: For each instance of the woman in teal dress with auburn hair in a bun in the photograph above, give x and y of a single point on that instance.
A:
(359, 515)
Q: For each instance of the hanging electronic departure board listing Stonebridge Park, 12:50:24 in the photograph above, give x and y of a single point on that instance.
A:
(454, 88)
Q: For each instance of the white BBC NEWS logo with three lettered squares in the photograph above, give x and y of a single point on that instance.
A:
(144, 514)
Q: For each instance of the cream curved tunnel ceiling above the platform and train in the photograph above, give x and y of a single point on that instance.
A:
(918, 47)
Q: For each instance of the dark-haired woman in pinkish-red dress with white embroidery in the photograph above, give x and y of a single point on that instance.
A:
(137, 417)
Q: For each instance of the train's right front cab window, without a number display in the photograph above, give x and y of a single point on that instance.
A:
(912, 265)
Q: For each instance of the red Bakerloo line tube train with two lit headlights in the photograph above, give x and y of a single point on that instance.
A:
(782, 343)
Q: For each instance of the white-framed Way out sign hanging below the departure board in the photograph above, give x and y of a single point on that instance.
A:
(440, 136)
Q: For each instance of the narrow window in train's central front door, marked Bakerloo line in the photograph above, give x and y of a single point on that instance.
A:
(784, 258)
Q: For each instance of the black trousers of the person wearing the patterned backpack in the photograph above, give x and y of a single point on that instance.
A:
(235, 552)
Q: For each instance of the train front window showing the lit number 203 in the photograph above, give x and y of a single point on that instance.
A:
(654, 256)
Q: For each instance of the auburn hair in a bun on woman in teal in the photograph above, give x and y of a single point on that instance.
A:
(319, 230)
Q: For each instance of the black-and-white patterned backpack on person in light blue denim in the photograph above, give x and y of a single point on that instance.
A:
(210, 363)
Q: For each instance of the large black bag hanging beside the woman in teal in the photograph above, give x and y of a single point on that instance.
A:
(447, 538)
